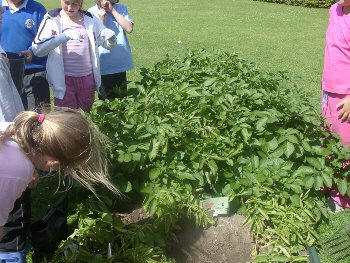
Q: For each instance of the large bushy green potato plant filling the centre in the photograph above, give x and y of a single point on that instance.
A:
(212, 124)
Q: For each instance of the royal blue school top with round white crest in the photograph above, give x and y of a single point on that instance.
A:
(19, 28)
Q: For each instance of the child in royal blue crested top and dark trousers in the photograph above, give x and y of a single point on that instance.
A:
(21, 20)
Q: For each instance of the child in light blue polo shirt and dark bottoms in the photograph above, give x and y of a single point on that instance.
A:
(115, 62)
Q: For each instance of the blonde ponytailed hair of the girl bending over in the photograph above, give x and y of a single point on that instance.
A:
(68, 136)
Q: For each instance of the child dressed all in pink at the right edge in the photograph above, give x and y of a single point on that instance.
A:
(335, 79)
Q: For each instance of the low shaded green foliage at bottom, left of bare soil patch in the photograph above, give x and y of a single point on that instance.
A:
(102, 237)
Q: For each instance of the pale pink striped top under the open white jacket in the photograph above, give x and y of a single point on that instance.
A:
(76, 53)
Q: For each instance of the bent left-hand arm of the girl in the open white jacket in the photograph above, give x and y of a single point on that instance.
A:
(48, 38)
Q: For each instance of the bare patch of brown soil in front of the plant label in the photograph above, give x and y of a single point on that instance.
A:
(228, 241)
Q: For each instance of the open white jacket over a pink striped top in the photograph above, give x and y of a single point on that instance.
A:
(48, 42)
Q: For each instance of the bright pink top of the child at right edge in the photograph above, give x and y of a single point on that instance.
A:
(336, 70)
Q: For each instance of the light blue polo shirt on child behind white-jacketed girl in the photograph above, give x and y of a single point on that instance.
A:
(118, 59)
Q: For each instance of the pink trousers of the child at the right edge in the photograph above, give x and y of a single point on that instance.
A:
(331, 112)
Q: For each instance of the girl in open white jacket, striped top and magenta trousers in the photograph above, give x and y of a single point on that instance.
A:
(71, 36)
